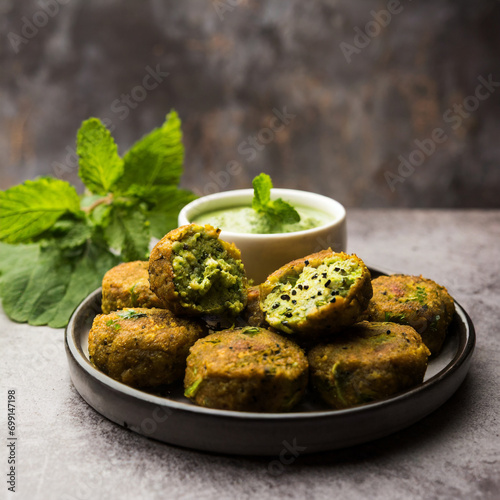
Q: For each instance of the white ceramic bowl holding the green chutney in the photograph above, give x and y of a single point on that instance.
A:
(262, 254)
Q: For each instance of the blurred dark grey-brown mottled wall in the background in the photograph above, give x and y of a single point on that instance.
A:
(231, 62)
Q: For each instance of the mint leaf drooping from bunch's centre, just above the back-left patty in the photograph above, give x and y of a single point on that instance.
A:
(128, 232)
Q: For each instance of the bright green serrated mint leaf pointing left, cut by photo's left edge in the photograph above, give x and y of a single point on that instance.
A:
(28, 209)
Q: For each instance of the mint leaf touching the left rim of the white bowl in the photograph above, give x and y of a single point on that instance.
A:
(168, 203)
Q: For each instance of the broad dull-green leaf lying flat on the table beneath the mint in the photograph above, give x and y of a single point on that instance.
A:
(45, 285)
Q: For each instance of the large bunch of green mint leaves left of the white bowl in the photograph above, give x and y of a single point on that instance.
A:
(57, 245)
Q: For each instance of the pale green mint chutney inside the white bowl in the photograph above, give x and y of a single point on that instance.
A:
(247, 220)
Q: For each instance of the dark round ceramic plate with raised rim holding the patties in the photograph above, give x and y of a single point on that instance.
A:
(311, 427)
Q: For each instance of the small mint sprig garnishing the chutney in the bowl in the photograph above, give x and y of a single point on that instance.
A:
(275, 212)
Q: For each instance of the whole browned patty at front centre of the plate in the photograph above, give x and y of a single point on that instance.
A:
(247, 369)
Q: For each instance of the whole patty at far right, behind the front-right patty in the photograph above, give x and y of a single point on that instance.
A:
(415, 301)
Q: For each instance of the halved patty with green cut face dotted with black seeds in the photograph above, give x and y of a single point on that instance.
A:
(318, 294)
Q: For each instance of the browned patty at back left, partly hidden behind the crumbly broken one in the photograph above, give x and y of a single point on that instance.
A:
(127, 285)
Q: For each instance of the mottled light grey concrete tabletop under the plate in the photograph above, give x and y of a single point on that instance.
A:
(65, 450)
